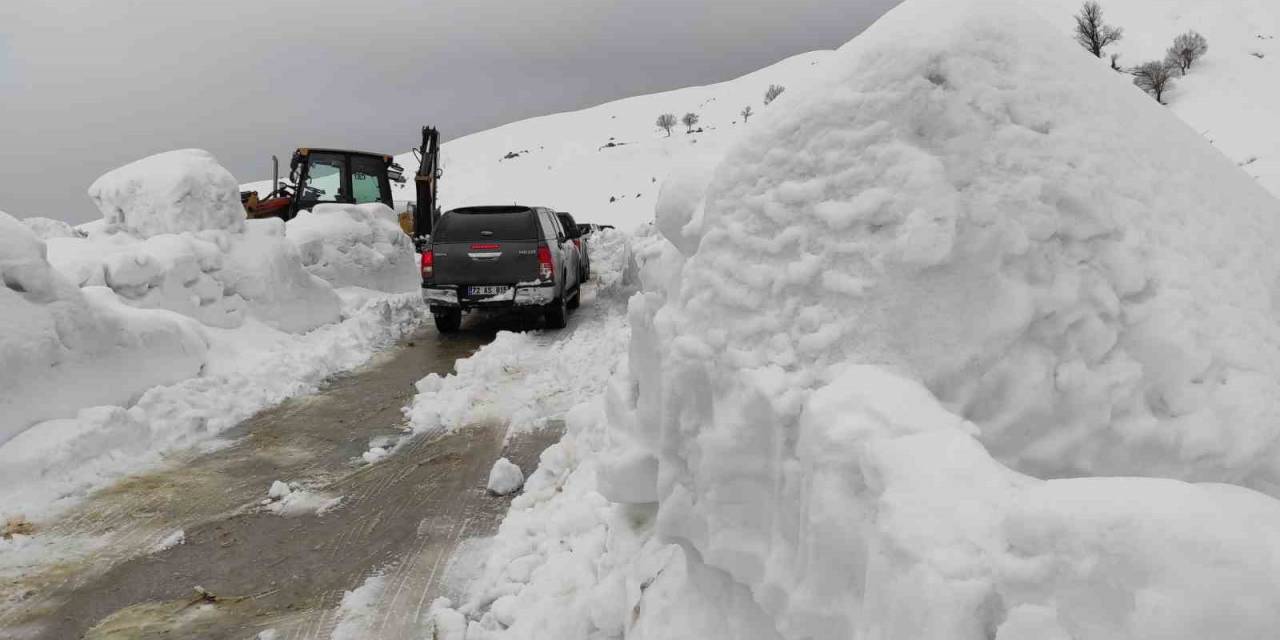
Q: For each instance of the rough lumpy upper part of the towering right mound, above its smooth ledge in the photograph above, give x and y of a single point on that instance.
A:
(1048, 249)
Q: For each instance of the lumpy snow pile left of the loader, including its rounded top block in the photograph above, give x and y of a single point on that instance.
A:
(182, 250)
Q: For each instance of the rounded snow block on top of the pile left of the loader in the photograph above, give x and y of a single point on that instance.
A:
(171, 193)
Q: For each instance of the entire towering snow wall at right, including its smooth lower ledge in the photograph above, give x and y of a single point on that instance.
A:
(967, 249)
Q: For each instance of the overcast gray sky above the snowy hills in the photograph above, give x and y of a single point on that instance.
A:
(90, 85)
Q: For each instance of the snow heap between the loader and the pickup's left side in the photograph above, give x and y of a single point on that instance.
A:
(356, 246)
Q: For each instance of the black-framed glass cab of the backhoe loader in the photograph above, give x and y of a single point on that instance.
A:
(340, 176)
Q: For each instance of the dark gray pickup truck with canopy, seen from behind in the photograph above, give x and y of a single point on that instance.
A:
(501, 258)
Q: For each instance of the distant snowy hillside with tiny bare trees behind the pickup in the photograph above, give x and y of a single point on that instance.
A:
(565, 161)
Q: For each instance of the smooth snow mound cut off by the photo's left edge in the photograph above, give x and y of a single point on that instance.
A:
(65, 349)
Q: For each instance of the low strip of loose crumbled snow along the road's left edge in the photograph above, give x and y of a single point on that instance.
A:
(248, 369)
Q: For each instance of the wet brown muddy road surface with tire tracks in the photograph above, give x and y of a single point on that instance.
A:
(403, 518)
